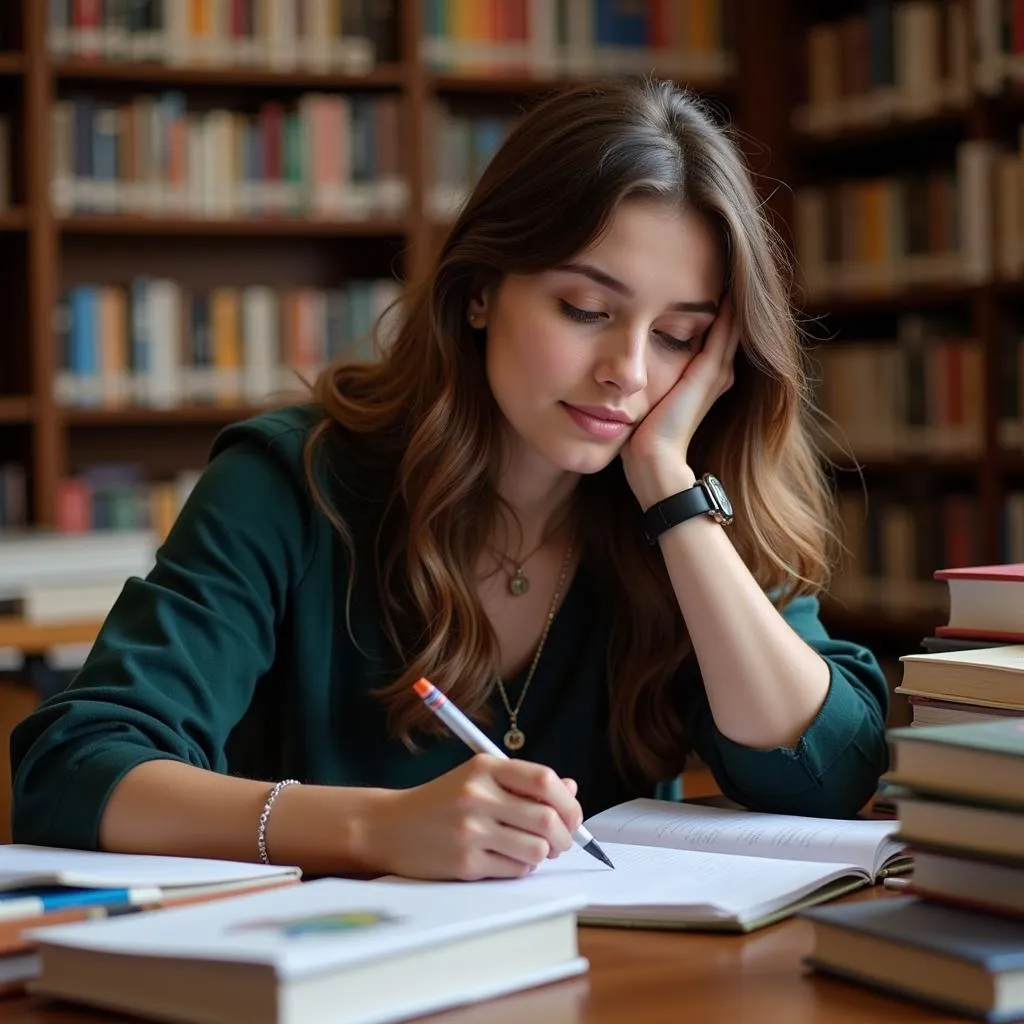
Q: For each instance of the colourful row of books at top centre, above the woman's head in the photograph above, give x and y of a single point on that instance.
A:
(681, 38)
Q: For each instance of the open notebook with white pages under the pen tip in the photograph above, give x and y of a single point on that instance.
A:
(684, 866)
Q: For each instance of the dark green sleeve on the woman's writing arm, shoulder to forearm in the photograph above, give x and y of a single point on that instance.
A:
(178, 660)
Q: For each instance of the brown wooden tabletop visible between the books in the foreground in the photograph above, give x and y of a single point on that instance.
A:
(652, 978)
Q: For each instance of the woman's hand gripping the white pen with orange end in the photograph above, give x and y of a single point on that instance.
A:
(489, 819)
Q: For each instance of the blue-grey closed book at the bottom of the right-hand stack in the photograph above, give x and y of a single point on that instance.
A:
(958, 960)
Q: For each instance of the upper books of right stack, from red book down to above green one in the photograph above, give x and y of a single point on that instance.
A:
(970, 671)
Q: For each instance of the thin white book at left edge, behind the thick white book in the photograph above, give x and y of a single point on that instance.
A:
(24, 867)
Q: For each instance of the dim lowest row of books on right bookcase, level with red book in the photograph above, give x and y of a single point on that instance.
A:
(892, 547)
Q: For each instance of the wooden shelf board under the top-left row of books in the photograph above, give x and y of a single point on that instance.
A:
(382, 77)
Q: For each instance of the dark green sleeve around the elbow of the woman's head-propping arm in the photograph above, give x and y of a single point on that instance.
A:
(834, 770)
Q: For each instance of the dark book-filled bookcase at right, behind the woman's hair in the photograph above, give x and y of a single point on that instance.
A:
(905, 150)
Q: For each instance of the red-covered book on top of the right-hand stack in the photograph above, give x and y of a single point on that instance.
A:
(986, 602)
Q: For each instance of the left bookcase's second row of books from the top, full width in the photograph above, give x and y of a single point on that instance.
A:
(325, 155)
